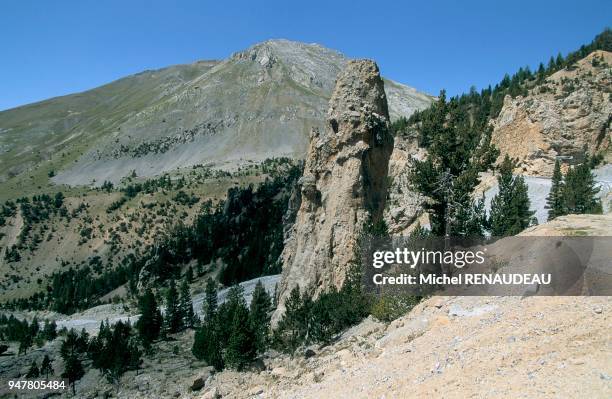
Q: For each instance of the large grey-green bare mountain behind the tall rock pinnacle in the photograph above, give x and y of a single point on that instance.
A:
(257, 104)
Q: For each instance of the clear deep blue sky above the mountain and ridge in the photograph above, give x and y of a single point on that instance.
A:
(51, 48)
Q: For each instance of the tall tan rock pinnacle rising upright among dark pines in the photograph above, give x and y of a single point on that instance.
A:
(344, 183)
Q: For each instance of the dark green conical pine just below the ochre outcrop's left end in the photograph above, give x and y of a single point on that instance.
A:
(510, 212)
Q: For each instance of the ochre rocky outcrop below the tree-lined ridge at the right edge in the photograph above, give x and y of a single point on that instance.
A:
(569, 112)
